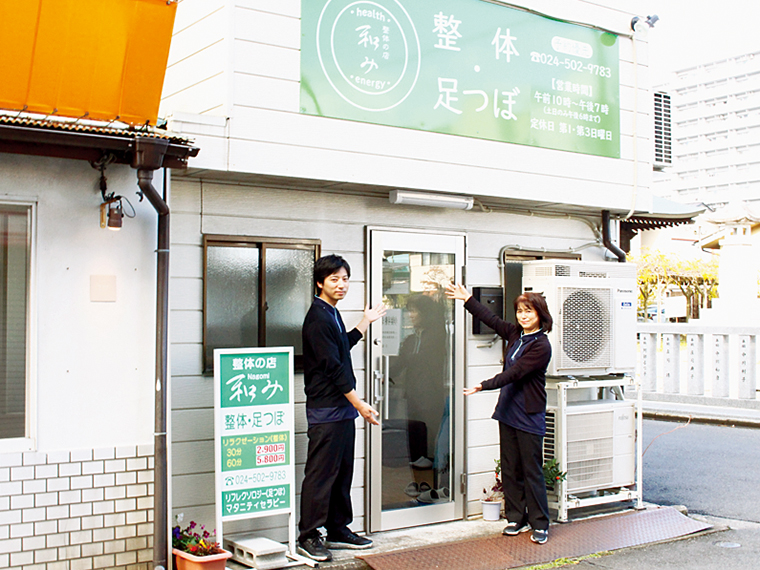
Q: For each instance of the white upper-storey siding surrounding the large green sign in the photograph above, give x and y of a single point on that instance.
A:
(266, 134)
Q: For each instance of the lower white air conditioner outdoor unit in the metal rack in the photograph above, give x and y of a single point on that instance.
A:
(600, 444)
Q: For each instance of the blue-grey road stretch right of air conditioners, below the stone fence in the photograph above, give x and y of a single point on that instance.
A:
(712, 470)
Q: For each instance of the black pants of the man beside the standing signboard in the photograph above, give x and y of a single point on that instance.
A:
(326, 490)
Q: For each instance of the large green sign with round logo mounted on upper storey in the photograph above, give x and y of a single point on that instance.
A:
(462, 67)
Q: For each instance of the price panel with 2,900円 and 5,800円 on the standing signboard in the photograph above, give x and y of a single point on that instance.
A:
(252, 451)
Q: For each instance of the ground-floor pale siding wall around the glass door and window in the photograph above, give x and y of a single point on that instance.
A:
(201, 207)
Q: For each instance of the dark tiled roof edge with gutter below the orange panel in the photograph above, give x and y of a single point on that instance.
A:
(86, 140)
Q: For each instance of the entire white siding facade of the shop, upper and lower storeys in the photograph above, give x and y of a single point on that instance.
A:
(257, 129)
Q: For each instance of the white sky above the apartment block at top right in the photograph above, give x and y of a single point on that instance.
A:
(692, 32)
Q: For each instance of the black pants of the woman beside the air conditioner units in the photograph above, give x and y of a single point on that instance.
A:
(522, 477)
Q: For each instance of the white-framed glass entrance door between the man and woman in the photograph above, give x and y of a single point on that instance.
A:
(417, 375)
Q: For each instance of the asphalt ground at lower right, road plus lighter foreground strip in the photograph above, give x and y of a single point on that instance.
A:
(713, 471)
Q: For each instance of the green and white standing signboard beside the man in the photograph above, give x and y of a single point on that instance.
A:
(254, 423)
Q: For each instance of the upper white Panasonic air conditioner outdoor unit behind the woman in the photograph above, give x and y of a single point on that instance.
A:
(594, 309)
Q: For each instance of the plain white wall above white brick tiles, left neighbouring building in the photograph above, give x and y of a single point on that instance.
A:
(93, 362)
